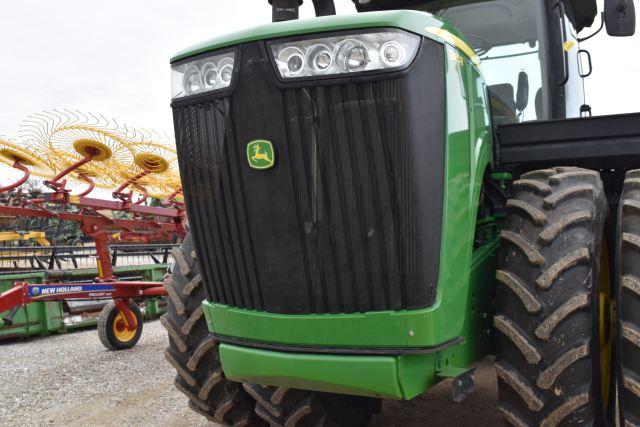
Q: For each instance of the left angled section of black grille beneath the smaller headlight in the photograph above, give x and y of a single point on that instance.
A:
(217, 213)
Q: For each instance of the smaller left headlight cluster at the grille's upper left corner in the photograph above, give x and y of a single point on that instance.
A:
(203, 75)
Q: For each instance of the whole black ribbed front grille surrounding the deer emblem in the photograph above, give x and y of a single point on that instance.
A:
(347, 221)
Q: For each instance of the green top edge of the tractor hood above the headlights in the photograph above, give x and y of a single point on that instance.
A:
(410, 20)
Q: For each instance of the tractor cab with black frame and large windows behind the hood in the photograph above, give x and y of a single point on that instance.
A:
(530, 54)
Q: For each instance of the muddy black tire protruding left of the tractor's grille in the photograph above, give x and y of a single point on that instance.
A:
(194, 353)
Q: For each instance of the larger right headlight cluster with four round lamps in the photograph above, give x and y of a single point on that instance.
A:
(379, 50)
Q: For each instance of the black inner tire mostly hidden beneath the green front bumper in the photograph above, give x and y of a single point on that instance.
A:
(284, 407)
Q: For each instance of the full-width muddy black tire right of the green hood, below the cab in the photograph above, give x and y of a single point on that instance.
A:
(547, 303)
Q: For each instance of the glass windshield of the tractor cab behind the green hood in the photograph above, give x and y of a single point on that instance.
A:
(508, 36)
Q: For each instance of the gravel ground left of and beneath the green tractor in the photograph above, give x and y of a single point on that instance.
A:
(72, 380)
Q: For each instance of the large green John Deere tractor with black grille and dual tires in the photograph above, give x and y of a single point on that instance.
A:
(379, 200)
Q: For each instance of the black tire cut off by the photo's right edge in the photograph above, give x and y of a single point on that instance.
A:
(628, 301)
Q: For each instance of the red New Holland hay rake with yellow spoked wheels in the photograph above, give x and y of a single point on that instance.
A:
(88, 150)
